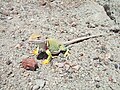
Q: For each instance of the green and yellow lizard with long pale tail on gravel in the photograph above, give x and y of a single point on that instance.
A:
(50, 46)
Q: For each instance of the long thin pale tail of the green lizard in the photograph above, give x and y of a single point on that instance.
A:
(81, 39)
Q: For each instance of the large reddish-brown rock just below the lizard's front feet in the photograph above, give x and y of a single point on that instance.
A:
(29, 64)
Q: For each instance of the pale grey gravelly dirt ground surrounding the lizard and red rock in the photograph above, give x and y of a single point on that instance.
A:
(93, 64)
